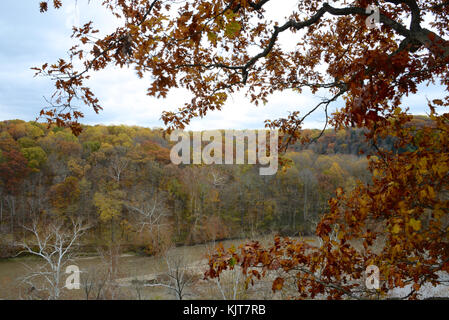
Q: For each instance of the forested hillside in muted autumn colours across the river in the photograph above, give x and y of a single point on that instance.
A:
(121, 180)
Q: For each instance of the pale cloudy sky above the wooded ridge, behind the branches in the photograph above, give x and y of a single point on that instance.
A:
(30, 38)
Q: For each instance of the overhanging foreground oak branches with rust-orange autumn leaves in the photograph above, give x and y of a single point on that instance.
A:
(215, 48)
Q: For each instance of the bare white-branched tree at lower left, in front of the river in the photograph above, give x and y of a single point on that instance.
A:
(55, 244)
